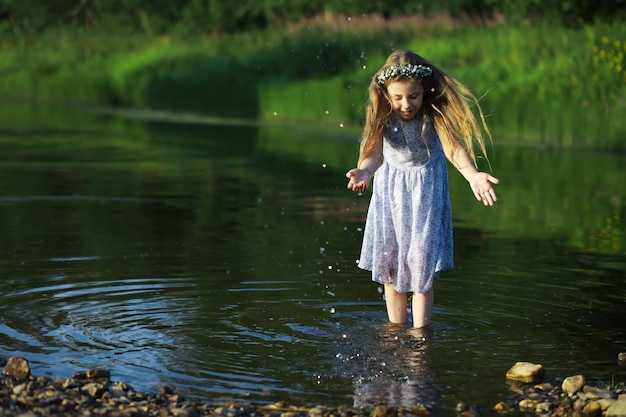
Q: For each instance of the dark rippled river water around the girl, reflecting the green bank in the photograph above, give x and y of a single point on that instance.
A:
(220, 259)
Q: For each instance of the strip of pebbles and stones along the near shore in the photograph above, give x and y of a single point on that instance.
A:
(92, 392)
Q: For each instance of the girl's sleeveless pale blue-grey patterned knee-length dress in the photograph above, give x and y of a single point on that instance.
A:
(408, 230)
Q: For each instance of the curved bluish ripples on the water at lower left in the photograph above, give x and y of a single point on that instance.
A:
(127, 325)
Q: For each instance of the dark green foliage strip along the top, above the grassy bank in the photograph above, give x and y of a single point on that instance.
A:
(211, 16)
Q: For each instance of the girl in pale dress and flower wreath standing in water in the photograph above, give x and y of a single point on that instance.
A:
(417, 116)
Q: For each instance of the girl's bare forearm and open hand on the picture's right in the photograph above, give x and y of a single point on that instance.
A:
(480, 182)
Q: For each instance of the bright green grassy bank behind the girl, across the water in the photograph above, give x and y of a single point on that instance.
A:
(541, 83)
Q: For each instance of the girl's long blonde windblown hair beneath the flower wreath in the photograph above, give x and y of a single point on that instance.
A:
(447, 103)
